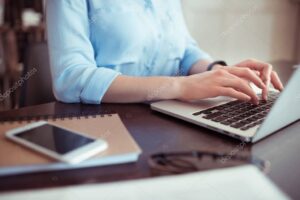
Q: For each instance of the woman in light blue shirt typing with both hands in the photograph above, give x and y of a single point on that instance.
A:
(139, 50)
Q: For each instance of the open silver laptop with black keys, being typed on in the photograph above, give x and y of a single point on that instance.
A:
(238, 119)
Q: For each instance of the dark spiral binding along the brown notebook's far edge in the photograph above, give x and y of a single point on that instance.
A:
(55, 117)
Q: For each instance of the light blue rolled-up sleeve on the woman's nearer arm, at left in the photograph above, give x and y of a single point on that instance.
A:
(75, 74)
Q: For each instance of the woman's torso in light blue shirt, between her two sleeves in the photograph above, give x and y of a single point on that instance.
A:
(138, 37)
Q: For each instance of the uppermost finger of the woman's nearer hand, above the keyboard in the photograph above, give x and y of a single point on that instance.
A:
(247, 74)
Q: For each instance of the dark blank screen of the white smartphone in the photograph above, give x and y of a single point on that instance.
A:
(55, 139)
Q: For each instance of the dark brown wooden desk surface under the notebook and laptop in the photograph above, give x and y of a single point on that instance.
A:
(156, 132)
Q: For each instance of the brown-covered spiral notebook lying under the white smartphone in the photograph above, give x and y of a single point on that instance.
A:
(16, 159)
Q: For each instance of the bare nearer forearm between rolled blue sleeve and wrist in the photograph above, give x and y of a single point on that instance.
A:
(127, 89)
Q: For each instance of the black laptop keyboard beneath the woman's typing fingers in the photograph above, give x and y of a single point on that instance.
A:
(239, 114)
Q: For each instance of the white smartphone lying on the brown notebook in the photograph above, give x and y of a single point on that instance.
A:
(57, 142)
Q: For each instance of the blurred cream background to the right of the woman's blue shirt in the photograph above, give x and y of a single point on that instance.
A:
(237, 29)
